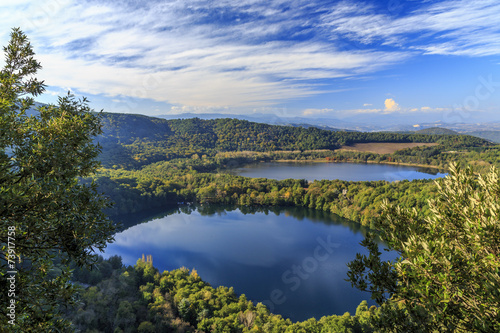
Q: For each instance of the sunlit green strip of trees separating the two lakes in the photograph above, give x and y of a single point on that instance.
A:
(166, 183)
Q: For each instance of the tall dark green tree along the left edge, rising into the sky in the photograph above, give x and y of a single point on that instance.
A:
(47, 214)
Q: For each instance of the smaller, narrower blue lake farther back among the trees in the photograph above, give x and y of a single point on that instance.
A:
(343, 171)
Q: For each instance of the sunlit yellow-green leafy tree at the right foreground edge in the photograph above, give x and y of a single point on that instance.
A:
(447, 277)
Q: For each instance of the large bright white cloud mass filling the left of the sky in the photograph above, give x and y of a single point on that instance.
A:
(162, 52)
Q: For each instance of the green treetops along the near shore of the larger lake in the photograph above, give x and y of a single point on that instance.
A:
(141, 299)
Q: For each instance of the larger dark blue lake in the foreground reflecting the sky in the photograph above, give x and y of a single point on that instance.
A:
(293, 259)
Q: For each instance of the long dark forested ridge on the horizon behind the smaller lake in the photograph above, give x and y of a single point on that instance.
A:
(132, 141)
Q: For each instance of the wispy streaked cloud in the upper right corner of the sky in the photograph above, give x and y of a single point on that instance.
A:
(449, 27)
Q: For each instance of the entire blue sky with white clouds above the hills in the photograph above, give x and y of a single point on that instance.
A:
(426, 60)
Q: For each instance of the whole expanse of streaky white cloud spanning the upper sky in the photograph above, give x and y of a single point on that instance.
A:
(250, 53)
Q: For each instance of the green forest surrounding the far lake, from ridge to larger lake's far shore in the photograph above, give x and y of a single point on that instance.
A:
(152, 162)
